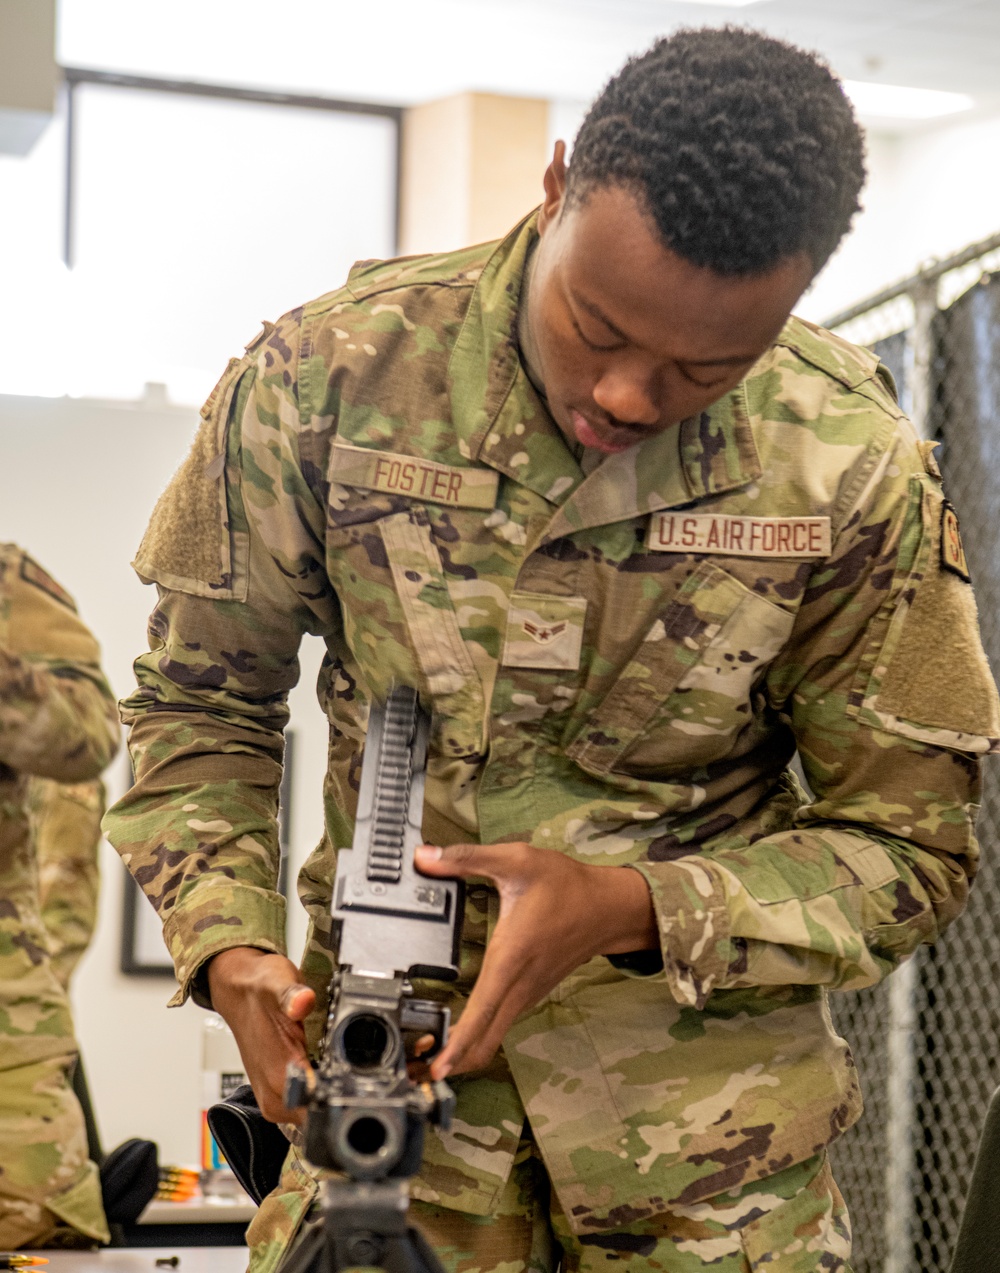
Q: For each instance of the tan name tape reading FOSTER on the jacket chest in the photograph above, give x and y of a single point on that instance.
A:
(427, 481)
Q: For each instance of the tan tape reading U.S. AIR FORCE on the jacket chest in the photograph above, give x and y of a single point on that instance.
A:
(740, 537)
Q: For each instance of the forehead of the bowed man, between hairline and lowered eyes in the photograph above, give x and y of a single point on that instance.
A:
(613, 262)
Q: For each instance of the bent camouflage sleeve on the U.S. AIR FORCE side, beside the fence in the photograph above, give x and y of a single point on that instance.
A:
(892, 703)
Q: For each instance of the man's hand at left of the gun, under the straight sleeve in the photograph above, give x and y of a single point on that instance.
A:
(263, 1001)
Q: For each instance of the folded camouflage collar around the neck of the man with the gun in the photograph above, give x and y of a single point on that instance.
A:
(507, 426)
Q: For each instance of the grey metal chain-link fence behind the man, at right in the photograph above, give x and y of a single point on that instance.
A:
(927, 1042)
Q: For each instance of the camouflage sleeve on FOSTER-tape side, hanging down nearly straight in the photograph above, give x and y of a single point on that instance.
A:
(233, 547)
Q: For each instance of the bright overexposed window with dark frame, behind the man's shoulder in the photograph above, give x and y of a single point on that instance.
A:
(185, 237)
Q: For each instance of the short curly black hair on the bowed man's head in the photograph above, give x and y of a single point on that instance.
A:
(742, 148)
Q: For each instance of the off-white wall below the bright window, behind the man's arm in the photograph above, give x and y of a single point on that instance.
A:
(78, 481)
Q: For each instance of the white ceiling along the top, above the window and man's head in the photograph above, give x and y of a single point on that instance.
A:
(404, 52)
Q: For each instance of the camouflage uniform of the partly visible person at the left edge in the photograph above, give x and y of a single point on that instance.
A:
(58, 721)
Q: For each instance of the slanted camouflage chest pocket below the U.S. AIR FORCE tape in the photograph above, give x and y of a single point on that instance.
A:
(686, 693)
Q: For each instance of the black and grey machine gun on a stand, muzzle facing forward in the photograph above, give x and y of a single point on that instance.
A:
(366, 1116)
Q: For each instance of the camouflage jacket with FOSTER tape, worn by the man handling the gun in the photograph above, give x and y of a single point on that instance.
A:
(622, 666)
